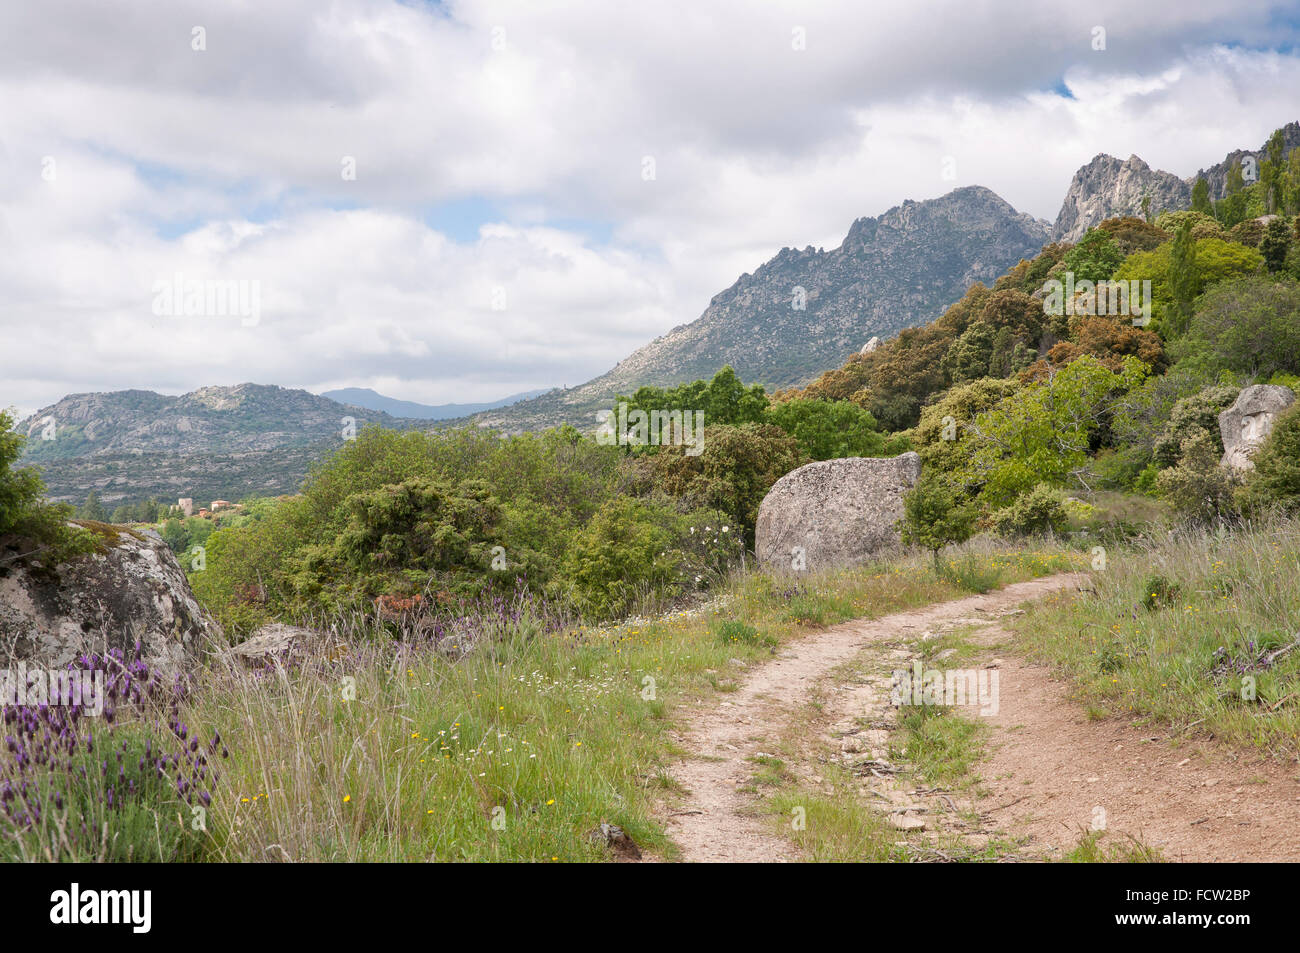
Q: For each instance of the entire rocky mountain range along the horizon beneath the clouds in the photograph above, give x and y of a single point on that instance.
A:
(798, 315)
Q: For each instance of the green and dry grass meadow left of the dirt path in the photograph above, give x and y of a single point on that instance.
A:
(514, 752)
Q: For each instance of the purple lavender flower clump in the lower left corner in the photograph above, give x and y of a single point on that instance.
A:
(53, 757)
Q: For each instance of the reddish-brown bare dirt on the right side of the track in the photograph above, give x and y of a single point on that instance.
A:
(1055, 776)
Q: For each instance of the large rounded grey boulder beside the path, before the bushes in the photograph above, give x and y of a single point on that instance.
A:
(834, 513)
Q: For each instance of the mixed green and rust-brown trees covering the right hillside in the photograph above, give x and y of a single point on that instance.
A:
(1015, 400)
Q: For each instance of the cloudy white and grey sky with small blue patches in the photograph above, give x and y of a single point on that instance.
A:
(453, 202)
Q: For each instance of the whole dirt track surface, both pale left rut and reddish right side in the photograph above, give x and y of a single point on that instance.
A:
(1052, 774)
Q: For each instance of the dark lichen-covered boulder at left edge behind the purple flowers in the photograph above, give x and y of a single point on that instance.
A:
(131, 591)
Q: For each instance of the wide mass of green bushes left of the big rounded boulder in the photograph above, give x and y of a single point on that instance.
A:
(397, 514)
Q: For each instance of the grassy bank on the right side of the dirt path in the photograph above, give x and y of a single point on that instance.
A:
(1184, 633)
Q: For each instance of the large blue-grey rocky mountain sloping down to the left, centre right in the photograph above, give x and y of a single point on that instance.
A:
(892, 272)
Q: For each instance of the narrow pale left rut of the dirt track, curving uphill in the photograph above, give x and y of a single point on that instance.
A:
(716, 821)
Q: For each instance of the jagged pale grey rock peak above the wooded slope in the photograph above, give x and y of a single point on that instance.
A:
(1108, 187)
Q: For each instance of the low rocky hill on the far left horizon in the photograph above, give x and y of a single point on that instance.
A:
(215, 443)
